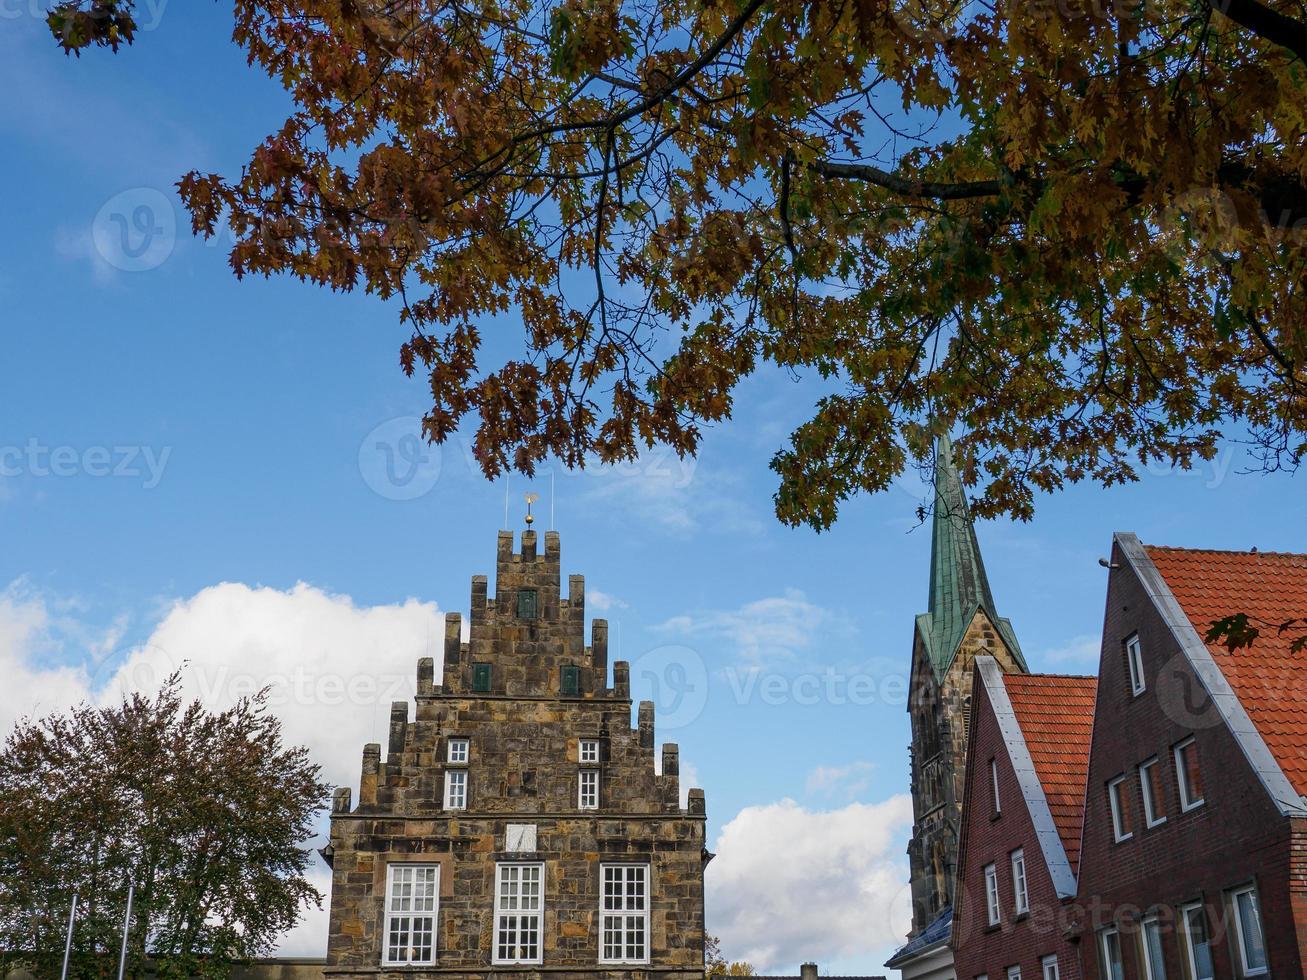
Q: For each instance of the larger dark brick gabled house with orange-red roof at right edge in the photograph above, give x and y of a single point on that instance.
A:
(1195, 846)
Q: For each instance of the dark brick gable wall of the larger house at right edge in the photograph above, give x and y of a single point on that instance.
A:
(1236, 838)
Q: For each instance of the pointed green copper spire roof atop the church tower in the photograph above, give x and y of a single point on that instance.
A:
(959, 581)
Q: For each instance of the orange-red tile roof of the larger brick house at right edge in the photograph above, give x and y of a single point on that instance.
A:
(1267, 678)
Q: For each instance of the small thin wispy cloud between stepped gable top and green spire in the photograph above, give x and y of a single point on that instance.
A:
(765, 632)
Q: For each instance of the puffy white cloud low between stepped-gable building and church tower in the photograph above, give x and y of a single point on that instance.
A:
(791, 885)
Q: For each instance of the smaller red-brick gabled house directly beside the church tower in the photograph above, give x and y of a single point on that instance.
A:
(1024, 808)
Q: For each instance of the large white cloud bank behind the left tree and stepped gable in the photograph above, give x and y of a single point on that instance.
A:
(334, 670)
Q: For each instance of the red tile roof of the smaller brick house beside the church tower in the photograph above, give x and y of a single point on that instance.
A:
(1057, 717)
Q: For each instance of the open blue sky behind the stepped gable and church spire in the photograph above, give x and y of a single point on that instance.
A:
(168, 429)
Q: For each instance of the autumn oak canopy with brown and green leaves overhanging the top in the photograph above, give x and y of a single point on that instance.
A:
(1072, 228)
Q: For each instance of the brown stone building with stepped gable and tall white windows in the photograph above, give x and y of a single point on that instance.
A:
(517, 826)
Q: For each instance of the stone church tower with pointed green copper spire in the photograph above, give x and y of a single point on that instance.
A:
(963, 623)
